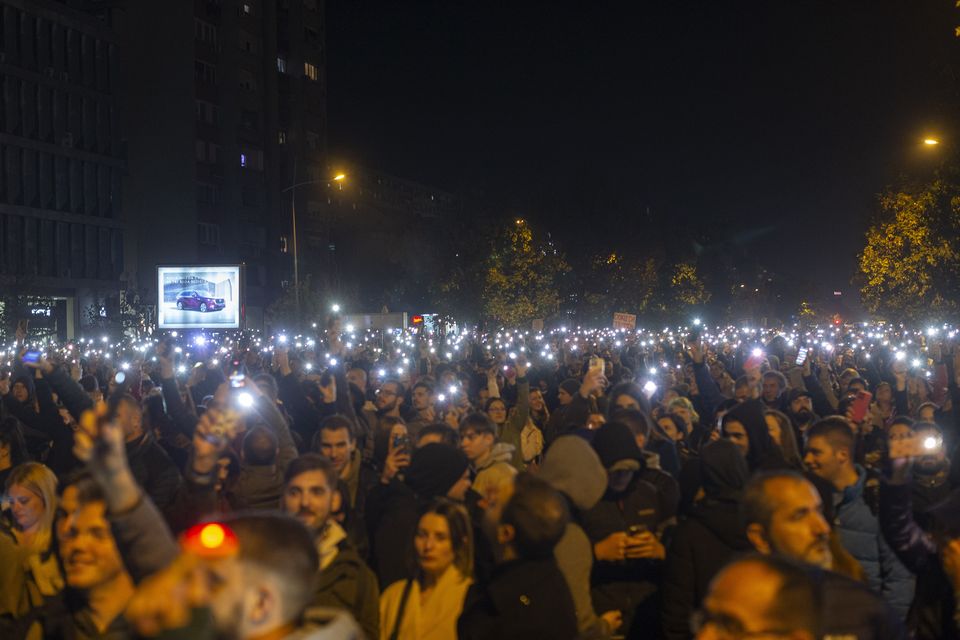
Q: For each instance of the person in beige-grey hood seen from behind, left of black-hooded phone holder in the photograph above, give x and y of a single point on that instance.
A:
(573, 468)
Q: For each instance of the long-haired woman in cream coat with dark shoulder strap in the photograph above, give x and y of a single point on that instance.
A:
(428, 605)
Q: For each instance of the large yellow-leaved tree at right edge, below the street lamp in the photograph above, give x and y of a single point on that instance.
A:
(910, 263)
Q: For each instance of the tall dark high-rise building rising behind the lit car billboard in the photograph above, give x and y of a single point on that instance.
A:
(223, 105)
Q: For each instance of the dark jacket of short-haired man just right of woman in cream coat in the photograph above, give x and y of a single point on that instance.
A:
(524, 599)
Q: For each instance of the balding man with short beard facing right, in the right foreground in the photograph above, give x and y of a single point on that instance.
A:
(782, 513)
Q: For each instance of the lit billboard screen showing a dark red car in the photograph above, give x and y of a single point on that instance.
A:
(198, 297)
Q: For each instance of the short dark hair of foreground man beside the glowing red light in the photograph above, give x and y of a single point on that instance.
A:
(280, 545)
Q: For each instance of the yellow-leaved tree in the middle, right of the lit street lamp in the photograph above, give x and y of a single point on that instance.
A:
(520, 283)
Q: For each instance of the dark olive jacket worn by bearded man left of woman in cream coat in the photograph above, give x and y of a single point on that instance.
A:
(349, 584)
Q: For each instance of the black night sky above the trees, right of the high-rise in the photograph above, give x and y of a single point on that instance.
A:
(728, 114)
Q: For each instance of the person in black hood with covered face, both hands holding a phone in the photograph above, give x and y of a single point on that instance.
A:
(625, 528)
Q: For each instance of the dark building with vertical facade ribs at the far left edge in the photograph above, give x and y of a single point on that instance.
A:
(62, 233)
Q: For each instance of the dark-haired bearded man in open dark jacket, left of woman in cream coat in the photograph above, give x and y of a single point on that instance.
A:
(345, 581)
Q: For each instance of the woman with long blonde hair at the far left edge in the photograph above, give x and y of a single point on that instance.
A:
(29, 572)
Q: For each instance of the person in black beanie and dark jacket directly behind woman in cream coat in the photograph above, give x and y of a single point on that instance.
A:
(436, 470)
